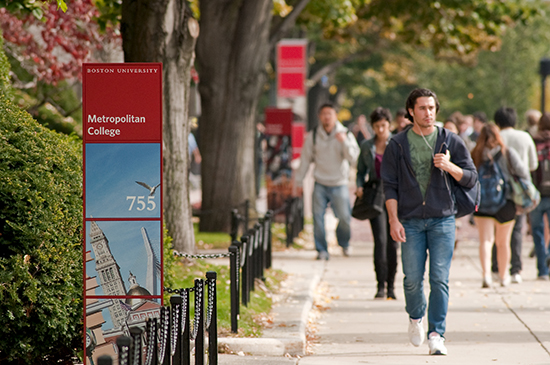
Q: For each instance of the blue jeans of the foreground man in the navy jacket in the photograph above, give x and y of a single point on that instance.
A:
(438, 236)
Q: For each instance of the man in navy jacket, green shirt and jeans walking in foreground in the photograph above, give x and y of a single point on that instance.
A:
(418, 170)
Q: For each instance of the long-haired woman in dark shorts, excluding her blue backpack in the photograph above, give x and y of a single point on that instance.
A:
(497, 227)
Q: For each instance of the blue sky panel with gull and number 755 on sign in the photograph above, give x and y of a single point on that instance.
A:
(123, 180)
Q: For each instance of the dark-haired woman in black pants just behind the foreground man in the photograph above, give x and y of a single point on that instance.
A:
(368, 169)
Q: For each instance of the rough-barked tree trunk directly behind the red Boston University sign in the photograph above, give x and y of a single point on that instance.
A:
(158, 31)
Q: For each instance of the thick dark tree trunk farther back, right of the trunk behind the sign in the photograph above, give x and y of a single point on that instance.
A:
(232, 52)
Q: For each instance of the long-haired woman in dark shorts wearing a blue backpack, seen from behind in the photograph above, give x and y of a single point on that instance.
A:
(496, 215)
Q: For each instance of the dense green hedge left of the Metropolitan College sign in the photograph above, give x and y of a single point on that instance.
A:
(40, 241)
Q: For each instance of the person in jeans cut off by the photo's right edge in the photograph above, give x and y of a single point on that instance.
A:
(541, 179)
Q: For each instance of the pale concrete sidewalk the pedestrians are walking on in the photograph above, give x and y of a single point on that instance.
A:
(484, 326)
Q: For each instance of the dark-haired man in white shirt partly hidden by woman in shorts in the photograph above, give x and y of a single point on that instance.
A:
(522, 142)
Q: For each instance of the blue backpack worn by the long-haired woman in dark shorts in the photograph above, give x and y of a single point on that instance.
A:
(493, 186)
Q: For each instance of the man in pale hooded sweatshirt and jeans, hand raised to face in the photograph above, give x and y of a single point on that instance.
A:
(332, 148)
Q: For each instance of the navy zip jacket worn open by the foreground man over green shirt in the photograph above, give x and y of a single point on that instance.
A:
(400, 180)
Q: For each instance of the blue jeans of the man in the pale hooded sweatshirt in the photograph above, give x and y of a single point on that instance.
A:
(338, 196)
